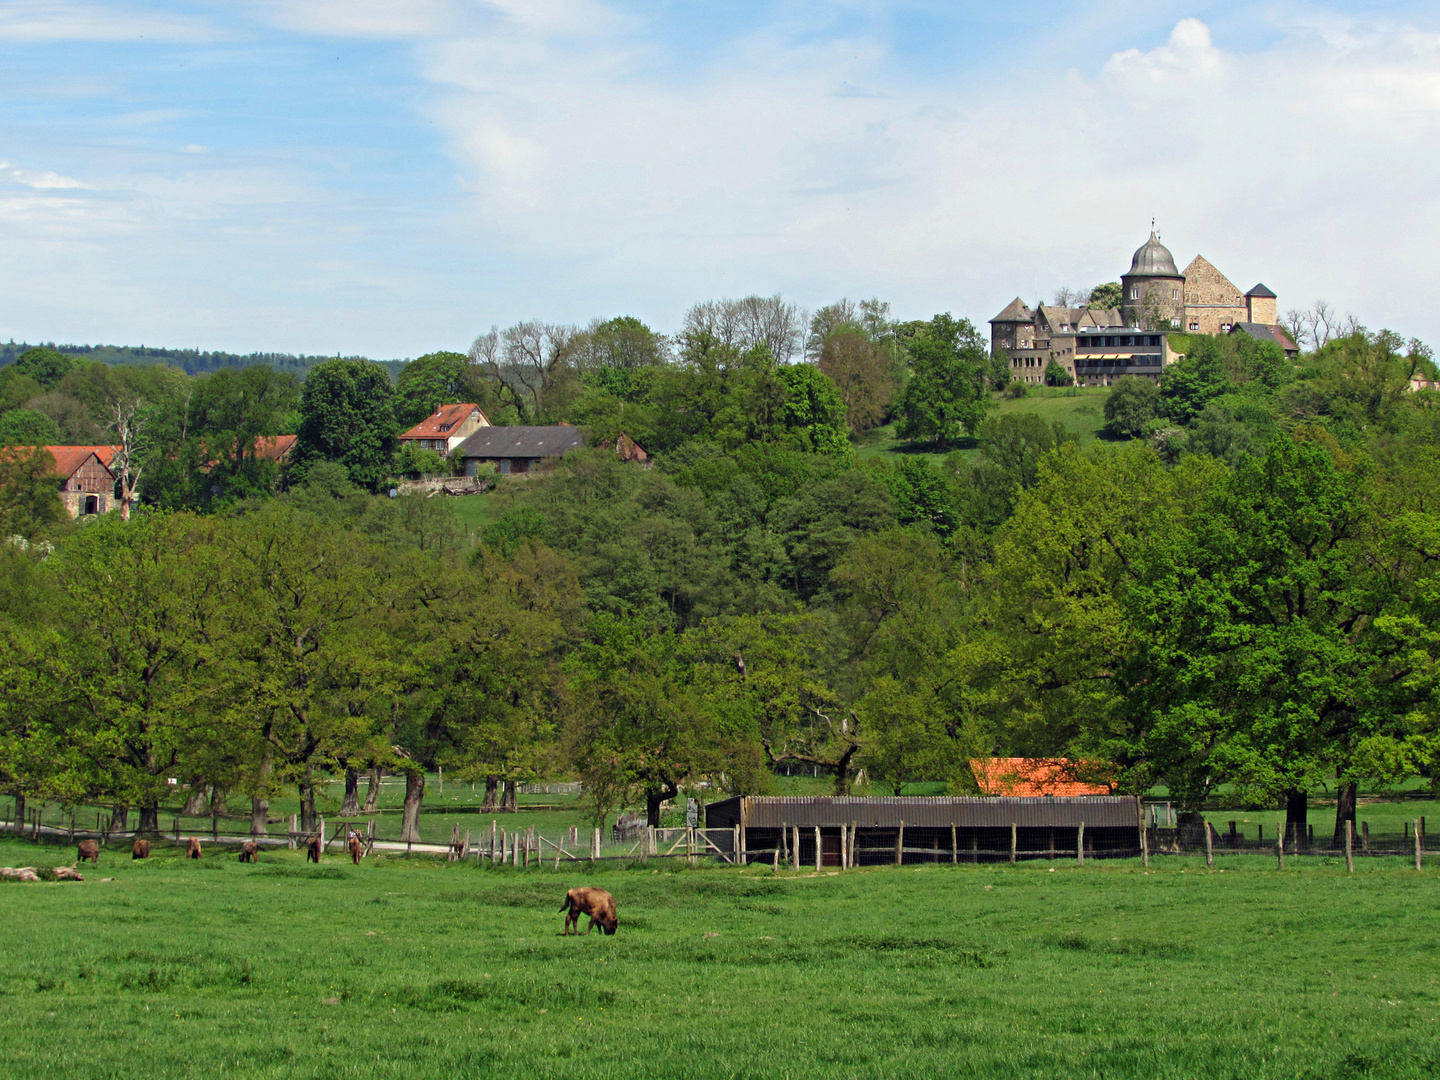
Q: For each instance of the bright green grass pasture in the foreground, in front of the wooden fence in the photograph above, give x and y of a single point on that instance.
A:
(410, 968)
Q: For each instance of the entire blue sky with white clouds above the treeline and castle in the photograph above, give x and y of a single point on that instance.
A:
(390, 178)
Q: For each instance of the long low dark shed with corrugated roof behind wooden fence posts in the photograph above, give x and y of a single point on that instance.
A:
(895, 830)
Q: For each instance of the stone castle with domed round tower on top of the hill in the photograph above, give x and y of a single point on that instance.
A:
(1095, 346)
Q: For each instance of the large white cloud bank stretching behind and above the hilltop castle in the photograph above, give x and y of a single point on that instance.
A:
(1310, 165)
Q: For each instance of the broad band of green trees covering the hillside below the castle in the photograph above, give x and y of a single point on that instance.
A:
(1233, 593)
